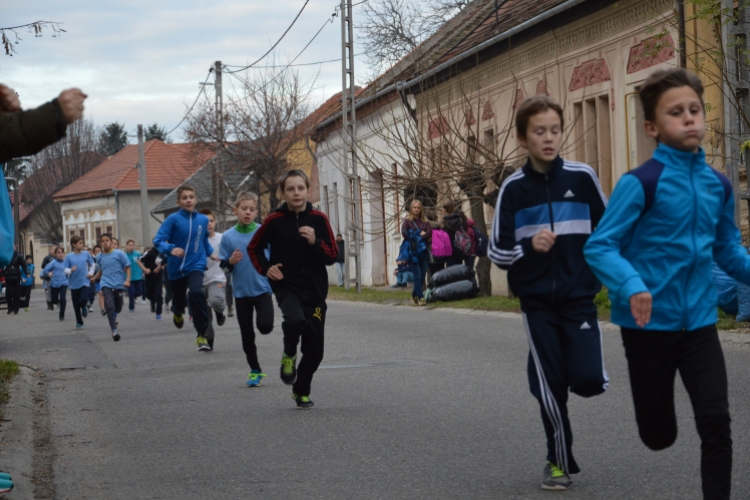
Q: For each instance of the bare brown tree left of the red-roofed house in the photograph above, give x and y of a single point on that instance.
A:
(54, 168)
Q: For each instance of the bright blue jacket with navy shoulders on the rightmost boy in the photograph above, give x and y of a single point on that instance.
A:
(664, 241)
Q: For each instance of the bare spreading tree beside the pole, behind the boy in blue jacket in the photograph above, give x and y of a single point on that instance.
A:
(261, 125)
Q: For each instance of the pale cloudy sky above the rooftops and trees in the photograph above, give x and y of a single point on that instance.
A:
(142, 61)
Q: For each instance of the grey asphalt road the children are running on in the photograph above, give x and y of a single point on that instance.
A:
(409, 404)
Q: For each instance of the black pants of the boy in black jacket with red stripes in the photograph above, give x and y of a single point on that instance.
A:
(306, 322)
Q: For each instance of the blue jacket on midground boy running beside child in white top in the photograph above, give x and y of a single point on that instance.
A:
(189, 231)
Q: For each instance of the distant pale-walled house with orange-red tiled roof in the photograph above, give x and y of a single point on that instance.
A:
(108, 199)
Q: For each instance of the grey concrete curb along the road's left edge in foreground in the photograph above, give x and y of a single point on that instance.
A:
(17, 433)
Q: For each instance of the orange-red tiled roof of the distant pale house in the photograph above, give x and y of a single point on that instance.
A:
(167, 166)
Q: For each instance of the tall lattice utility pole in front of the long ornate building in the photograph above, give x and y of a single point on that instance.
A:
(349, 127)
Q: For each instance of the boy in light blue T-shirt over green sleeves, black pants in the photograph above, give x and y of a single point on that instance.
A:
(251, 290)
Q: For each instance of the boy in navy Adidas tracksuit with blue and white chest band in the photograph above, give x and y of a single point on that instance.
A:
(545, 213)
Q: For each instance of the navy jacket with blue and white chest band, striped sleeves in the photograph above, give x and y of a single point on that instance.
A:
(568, 200)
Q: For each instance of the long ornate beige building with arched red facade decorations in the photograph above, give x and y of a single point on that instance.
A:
(459, 91)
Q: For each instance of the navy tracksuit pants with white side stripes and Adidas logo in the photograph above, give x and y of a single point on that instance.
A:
(565, 353)
